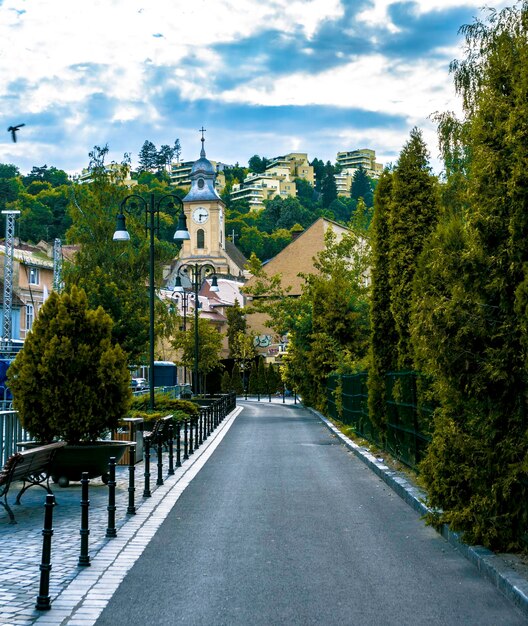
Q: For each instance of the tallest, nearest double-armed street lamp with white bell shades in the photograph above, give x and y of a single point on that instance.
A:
(152, 210)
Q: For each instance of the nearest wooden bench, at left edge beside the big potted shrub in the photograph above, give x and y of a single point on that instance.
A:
(31, 467)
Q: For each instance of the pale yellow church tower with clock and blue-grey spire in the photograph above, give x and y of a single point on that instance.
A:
(205, 211)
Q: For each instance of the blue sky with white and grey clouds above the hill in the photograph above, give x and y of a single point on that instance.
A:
(263, 77)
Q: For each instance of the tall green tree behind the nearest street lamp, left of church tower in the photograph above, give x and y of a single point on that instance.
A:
(113, 274)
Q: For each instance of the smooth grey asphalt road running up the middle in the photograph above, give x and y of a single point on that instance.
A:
(284, 526)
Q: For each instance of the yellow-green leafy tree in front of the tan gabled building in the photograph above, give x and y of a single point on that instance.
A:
(328, 325)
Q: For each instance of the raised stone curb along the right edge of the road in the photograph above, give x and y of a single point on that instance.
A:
(490, 565)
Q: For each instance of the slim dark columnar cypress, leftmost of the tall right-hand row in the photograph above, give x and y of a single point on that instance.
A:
(383, 338)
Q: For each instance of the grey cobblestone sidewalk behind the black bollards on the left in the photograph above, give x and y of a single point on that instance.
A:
(21, 543)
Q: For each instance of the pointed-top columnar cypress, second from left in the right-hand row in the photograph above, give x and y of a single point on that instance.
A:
(413, 215)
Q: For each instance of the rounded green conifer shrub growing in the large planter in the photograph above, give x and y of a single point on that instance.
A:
(70, 381)
